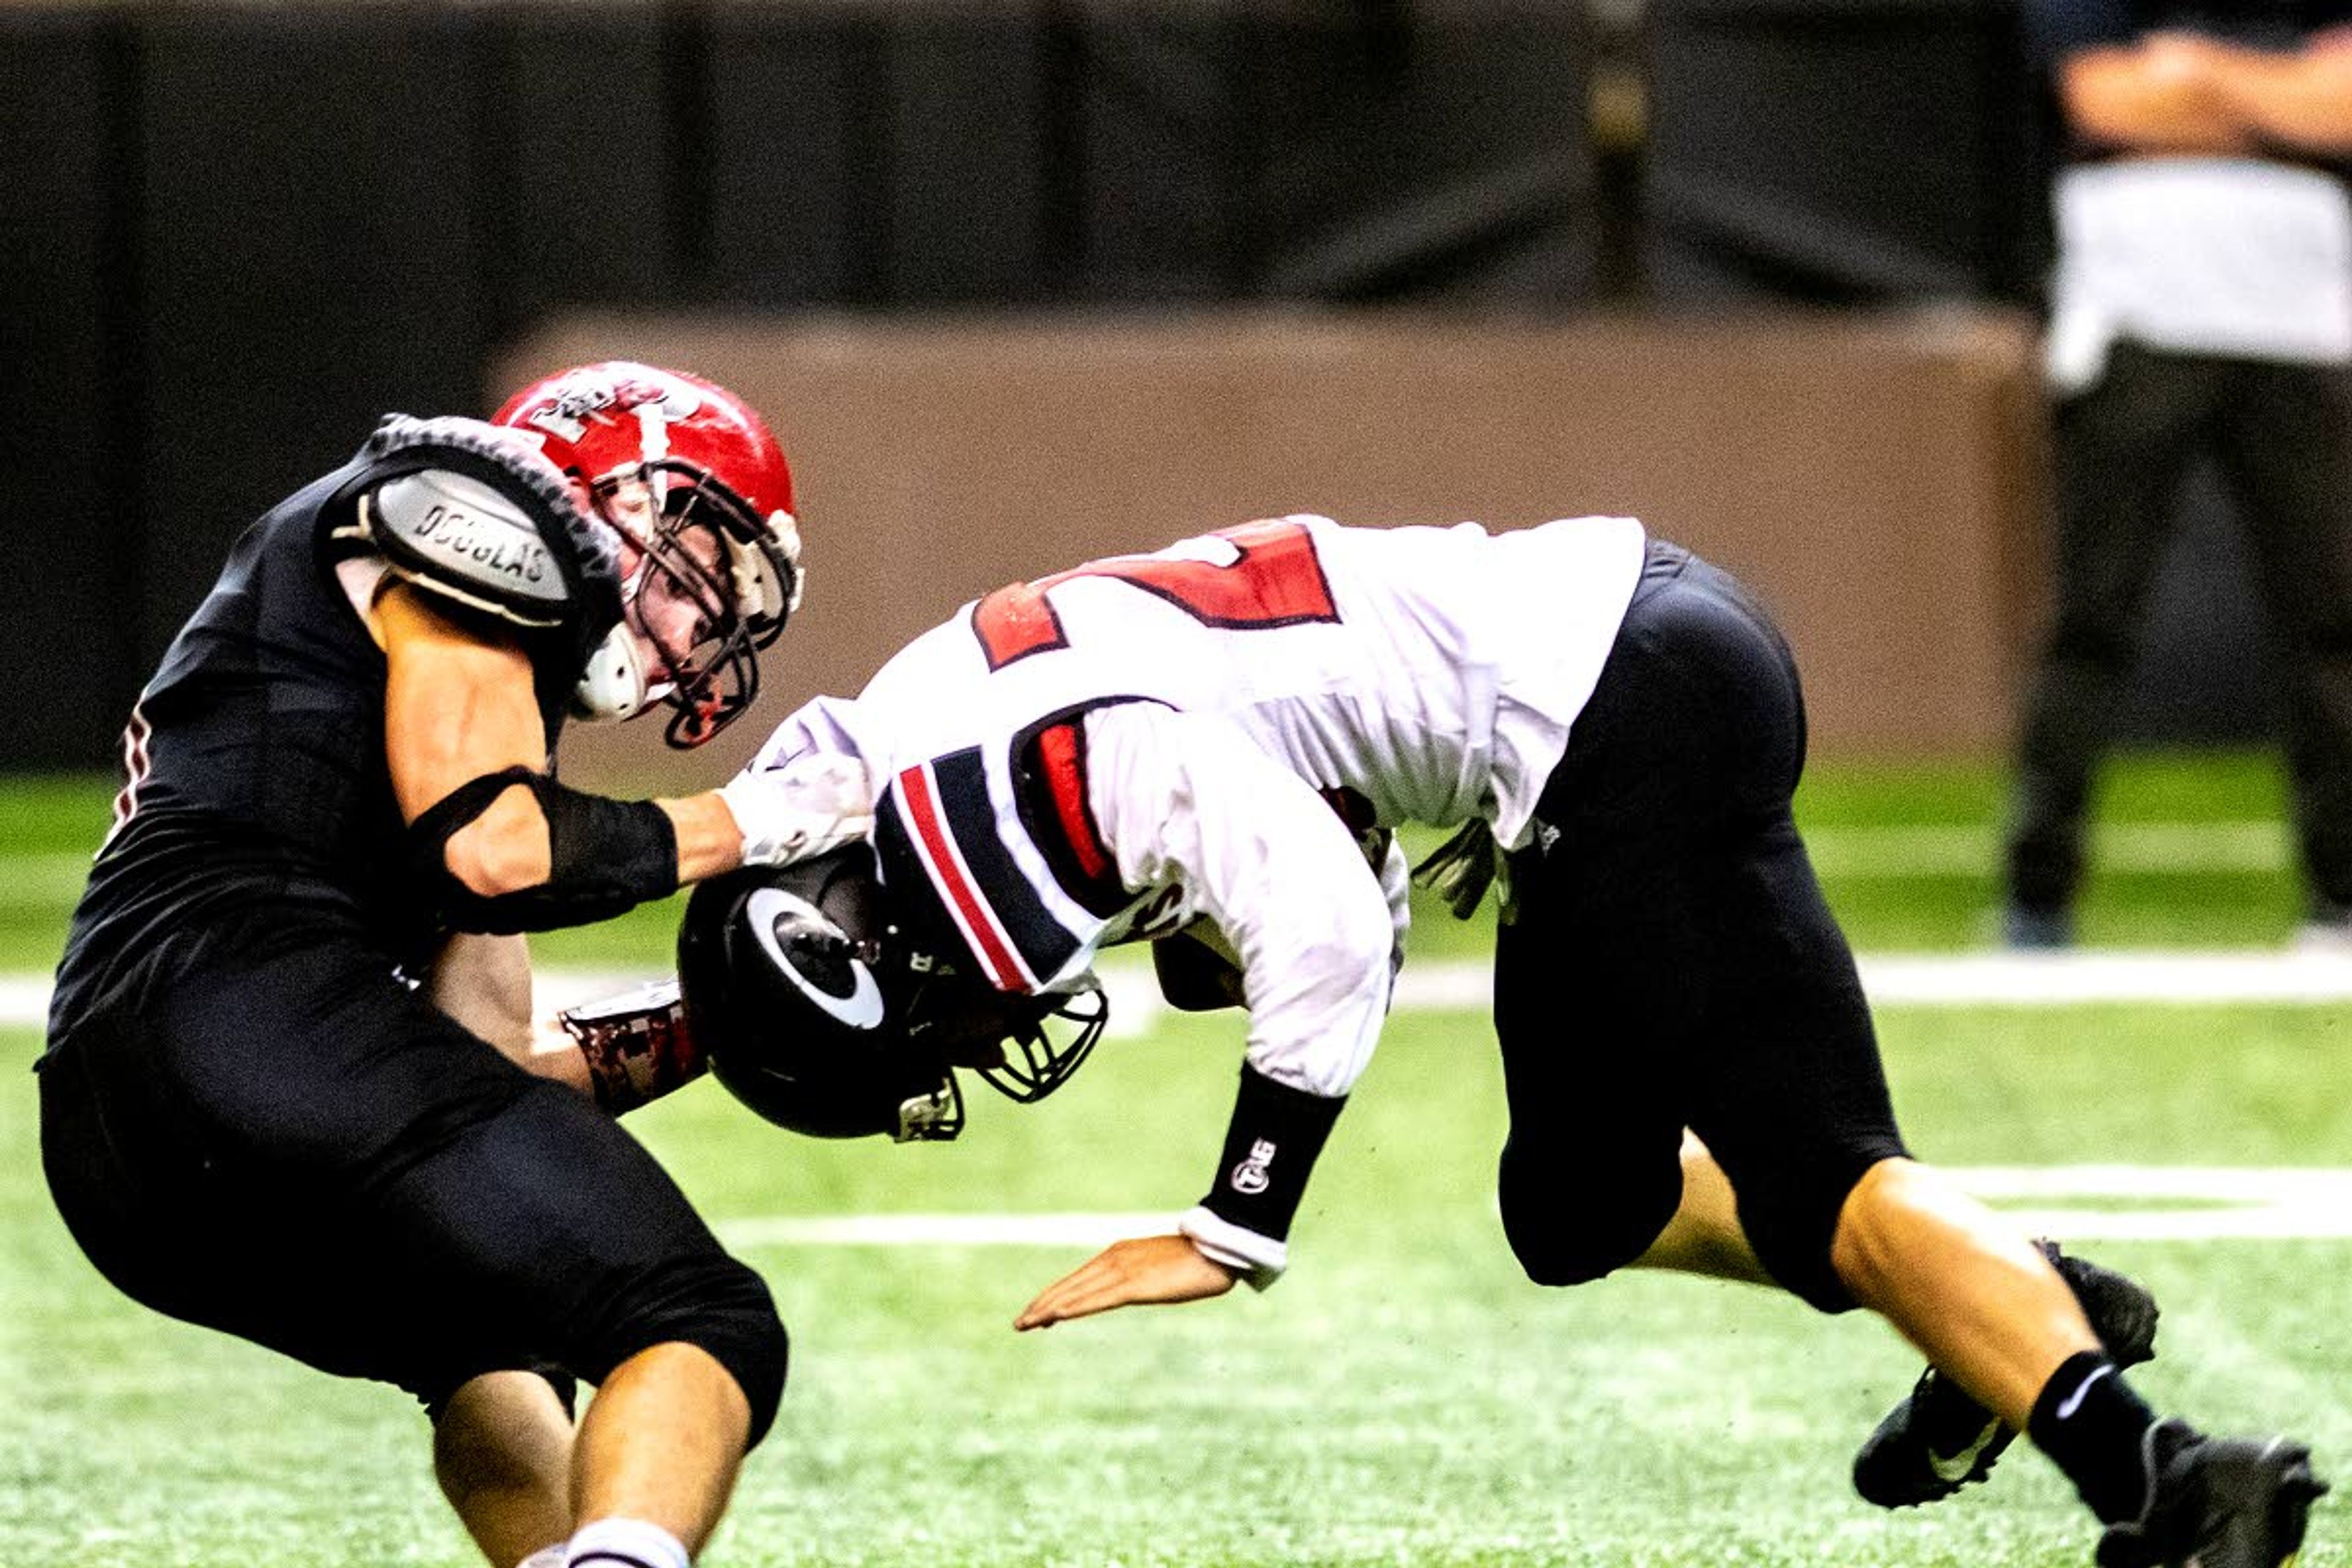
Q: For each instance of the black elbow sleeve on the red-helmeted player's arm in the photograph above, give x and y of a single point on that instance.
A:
(603, 857)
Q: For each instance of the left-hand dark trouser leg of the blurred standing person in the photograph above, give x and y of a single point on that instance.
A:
(2120, 453)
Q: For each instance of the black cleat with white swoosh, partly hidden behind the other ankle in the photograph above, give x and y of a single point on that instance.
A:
(1942, 1440)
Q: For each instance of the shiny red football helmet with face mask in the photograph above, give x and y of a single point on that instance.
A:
(702, 502)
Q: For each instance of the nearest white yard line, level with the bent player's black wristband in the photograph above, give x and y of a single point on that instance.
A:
(2083, 1205)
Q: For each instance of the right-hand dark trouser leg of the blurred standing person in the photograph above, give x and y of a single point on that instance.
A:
(2287, 453)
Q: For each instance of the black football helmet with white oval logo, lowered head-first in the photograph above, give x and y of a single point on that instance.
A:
(829, 1012)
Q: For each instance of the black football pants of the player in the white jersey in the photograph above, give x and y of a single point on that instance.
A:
(1673, 963)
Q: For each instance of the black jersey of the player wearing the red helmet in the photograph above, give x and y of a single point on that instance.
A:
(255, 758)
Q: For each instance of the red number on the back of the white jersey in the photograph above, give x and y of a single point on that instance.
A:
(1271, 582)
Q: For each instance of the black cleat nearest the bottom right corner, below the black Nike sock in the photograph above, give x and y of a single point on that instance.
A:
(2217, 1503)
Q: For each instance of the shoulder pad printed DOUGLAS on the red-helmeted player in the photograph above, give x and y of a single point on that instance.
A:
(476, 516)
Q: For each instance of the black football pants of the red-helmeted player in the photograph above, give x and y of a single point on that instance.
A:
(267, 1134)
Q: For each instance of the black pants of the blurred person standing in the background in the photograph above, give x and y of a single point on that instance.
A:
(2283, 436)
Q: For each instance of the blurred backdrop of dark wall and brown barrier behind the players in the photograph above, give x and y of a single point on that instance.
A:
(1024, 281)
